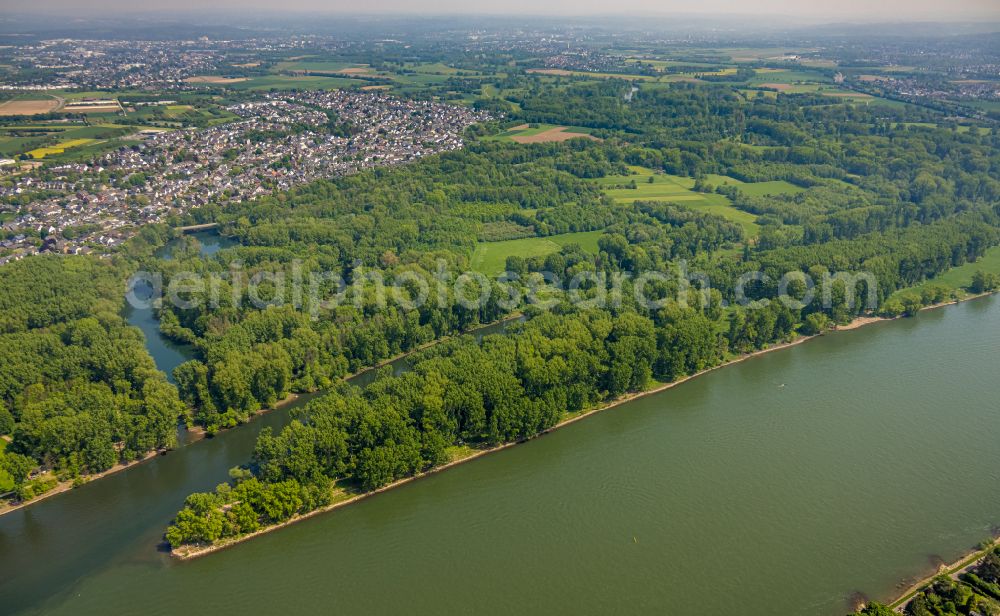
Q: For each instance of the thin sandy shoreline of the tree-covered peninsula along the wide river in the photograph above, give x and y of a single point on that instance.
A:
(191, 552)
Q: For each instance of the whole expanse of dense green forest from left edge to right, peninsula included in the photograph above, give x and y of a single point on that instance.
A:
(872, 193)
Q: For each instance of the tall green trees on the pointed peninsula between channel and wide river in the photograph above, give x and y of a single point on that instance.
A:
(507, 388)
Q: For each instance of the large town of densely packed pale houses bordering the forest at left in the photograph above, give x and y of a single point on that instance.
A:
(280, 140)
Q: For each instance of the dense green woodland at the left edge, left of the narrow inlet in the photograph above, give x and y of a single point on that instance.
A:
(78, 391)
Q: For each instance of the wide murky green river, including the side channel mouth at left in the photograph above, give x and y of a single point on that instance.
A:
(782, 485)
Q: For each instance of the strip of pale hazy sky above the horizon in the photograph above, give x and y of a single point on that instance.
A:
(840, 10)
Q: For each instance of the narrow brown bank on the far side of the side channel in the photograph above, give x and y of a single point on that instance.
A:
(197, 433)
